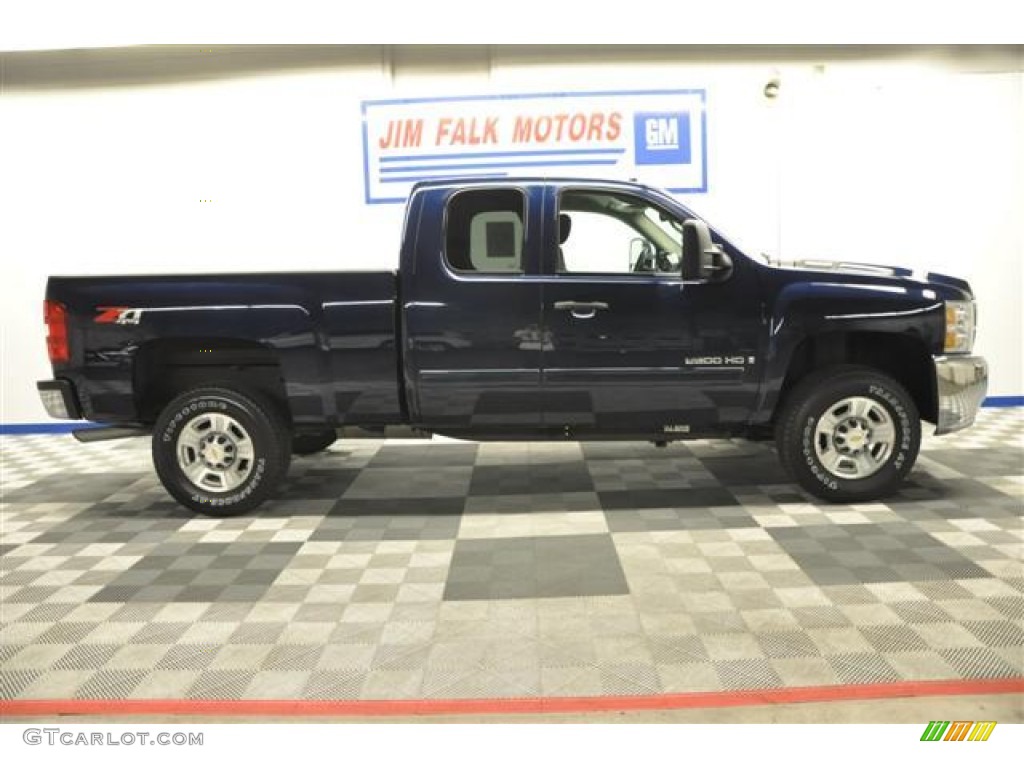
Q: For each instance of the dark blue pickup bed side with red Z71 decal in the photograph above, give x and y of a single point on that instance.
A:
(331, 336)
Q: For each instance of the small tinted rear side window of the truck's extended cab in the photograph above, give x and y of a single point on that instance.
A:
(485, 232)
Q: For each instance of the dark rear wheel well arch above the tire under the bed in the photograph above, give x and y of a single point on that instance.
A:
(165, 368)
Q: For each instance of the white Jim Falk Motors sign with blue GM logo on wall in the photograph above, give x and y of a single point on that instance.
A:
(658, 138)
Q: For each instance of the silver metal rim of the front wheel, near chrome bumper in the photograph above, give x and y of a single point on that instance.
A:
(855, 438)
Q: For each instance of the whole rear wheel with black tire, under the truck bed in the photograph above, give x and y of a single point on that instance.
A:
(255, 450)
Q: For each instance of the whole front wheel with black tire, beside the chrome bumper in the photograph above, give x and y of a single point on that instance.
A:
(838, 455)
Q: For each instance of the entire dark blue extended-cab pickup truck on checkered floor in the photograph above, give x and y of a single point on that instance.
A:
(524, 310)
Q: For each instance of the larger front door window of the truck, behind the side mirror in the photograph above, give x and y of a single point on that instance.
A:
(615, 234)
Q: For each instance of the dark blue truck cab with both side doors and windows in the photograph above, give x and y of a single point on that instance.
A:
(567, 312)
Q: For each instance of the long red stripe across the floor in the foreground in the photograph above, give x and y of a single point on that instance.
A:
(270, 708)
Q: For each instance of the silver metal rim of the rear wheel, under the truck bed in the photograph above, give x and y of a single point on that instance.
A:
(216, 453)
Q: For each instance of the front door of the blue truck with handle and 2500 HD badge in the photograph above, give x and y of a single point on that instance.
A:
(632, 348)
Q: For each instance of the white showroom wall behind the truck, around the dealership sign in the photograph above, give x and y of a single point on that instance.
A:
(914, 160)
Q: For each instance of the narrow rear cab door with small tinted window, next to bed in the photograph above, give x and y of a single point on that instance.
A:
(473, 310)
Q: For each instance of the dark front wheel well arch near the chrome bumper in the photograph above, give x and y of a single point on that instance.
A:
(904, 357)
